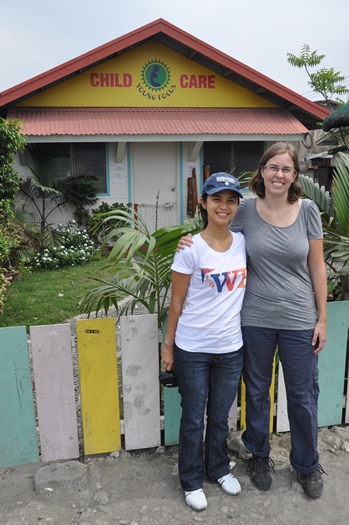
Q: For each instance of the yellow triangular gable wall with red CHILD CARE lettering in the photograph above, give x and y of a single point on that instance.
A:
(150, 76)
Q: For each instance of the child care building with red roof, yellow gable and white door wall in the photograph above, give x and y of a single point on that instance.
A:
(147, 111)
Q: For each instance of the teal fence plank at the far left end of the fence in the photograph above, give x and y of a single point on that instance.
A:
(18, 439)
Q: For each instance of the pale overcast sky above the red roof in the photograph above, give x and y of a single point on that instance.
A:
(38, 35)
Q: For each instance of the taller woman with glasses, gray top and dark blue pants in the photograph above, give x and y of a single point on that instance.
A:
(284, 307)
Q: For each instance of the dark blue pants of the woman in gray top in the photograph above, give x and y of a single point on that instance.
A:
(300, 368)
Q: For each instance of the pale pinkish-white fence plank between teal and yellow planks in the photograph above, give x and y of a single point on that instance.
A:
(55, 396)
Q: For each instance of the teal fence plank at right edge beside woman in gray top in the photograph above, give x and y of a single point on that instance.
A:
(332, 365)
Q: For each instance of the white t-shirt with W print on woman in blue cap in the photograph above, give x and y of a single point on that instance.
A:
(210, 319)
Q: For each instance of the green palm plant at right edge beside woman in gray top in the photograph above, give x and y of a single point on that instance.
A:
(334, 209)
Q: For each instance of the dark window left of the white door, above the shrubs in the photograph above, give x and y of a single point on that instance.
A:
(86, 158)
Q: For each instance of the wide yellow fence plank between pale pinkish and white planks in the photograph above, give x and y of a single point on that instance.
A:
(99, 389)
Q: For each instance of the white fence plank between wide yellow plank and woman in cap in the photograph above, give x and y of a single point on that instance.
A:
(140, 369)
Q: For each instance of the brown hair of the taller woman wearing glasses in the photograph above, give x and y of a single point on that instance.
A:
(257, 183)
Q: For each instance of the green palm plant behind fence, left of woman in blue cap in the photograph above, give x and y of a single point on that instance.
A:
(142, 264)
